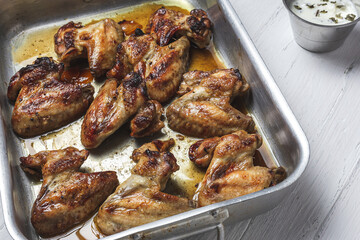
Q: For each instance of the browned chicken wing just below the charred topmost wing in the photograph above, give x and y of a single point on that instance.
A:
(161, 67)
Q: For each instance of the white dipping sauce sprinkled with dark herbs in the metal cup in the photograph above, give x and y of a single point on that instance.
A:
(325, 12)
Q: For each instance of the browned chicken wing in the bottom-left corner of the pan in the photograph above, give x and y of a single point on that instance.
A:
(67, 197)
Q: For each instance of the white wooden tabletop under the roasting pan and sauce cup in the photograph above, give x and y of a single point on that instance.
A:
(323, 90)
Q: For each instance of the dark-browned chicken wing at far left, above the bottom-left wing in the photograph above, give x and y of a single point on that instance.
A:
(44, 101)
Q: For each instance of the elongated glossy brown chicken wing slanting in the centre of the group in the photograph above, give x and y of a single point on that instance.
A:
(112, 107)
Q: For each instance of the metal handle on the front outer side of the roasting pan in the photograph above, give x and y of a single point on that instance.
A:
(206, 222)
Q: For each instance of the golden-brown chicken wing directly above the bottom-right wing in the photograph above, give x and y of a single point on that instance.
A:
(204, 110)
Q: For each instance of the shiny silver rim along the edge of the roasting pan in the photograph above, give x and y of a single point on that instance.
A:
(6, 185)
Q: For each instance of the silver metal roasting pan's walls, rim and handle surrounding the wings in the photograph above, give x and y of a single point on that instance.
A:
(266, 104)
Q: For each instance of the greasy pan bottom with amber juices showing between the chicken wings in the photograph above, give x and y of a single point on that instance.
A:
(114, 153)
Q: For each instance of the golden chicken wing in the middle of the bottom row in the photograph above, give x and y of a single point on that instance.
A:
(139, 199)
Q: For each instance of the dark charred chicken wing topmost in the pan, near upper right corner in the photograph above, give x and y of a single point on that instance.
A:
(165, 24)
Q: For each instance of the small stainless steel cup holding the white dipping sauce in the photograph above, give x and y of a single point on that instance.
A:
(319, 38)
